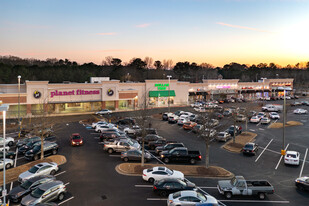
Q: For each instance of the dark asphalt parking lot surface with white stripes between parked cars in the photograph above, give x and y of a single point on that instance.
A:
(91, 179)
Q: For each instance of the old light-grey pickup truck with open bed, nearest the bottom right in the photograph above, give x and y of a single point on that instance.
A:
(239, 186)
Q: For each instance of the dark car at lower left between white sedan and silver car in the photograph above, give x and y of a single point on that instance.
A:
(17, 193)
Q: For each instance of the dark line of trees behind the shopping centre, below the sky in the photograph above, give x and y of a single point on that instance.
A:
(137, 70)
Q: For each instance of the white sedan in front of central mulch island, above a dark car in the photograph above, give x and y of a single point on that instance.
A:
(159, 173)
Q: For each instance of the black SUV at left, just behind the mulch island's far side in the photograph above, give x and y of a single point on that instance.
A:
(50, 148)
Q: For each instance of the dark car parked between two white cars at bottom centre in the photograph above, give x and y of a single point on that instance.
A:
(167, 186)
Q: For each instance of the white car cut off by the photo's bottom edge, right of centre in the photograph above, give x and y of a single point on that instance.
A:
(190, 197)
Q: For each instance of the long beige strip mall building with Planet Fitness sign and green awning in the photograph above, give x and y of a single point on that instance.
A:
(103, 93)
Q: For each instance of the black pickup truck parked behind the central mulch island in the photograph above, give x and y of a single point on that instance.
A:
(180, 154)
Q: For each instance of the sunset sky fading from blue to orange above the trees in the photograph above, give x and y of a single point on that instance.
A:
(213, 31)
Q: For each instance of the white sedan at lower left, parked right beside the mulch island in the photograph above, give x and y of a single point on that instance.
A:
(44, 168)
